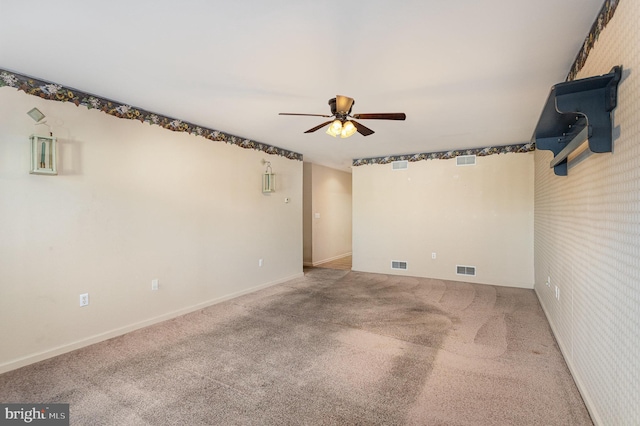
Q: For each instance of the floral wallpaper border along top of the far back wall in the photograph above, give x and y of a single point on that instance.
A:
(445, 155)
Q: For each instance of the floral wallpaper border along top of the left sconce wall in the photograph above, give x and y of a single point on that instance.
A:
(57, 92)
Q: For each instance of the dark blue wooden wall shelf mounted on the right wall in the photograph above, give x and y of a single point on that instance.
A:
(576, 111)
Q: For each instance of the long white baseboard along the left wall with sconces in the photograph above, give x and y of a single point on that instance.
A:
(62, 349)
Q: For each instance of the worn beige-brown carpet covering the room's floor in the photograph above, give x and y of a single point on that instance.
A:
(331, 348)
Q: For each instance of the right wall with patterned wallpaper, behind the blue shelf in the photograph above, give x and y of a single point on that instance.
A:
(587, 241)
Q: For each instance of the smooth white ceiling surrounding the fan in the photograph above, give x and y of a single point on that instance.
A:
(468, 73)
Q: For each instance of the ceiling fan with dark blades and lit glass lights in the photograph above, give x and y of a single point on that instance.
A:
(343, 124)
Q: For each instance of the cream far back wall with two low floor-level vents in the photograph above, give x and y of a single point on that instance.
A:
(478, 216)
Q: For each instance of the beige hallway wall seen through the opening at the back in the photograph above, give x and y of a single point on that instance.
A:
(327, 214)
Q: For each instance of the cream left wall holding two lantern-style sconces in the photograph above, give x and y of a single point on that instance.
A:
(132, 203)
